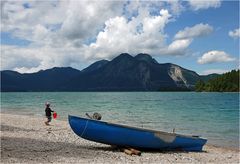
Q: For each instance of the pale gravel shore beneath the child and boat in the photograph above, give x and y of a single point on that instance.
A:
(26, 139)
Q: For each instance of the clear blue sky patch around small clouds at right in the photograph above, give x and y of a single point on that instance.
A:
(223, 19)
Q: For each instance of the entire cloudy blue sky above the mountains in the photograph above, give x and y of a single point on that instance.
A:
(202, 36)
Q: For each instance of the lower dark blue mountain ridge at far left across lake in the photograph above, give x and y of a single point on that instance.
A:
(47, 80)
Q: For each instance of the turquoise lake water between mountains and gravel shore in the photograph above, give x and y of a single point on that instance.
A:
(214, 116)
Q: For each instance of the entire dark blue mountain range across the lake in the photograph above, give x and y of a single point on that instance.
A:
(123, 73)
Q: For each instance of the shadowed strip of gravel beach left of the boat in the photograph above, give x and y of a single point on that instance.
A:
(26, 149)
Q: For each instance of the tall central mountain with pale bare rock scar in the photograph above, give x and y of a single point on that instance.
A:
(139, 73)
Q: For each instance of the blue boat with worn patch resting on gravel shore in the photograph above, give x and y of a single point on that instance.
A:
(132, 137)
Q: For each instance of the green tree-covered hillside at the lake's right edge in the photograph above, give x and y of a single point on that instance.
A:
(228, 82)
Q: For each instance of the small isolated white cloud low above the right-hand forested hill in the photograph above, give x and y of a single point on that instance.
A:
(215, 57)
